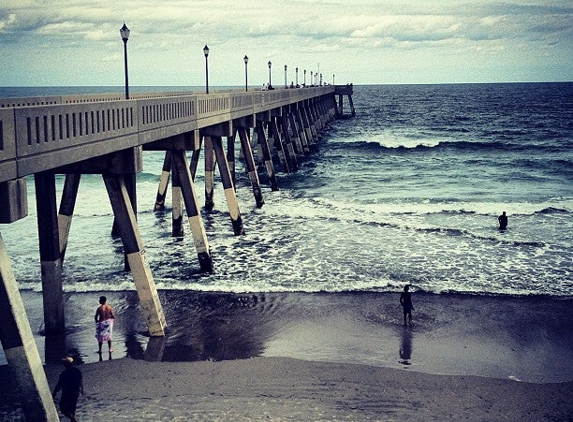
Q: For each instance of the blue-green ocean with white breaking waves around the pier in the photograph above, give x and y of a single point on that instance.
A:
(407, 192)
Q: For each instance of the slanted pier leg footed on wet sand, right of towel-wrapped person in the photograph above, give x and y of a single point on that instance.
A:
(133, 246)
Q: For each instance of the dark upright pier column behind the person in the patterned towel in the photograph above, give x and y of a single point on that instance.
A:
(49, 239)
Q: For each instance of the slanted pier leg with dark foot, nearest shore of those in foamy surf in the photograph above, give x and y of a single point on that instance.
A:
(192, 208)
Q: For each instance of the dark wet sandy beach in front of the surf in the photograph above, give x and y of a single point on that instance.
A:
(292, 356)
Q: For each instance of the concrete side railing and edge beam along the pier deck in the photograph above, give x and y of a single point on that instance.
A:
(42, 133)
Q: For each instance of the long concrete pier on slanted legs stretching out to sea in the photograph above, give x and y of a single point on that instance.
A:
(105, 134)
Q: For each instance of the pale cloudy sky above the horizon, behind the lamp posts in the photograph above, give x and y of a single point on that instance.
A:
(77, 43)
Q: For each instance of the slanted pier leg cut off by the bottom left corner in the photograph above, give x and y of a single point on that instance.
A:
(20, 349)
